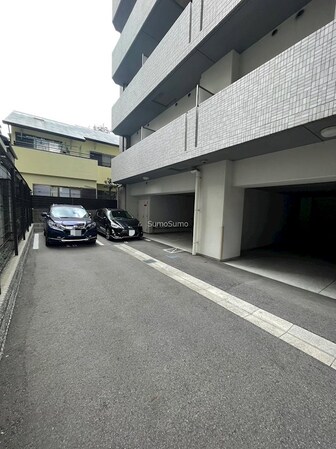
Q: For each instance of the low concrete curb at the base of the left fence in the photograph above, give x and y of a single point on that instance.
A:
(10, 283)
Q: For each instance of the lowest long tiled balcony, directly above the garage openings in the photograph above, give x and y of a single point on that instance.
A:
(283, 104)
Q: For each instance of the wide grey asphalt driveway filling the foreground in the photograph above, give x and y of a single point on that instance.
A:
(106, 350)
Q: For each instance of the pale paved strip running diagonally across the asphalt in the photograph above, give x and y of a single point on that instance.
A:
(296, 336)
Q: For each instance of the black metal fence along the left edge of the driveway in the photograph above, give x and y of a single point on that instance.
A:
(15, 205)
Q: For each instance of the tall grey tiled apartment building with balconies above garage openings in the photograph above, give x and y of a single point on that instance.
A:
(227, 120)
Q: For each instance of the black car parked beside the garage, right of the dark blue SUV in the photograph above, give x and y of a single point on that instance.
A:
(117, 224)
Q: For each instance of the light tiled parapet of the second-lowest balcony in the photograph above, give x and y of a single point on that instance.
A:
(179, 42)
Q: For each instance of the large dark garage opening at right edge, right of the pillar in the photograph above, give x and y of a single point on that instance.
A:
(289, 235)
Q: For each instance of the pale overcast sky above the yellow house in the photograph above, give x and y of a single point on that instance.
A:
(56, 60)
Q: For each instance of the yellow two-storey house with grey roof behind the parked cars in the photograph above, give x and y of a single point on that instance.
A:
(61, 160)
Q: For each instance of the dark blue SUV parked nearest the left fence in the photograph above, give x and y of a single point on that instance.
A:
(67, 224)
